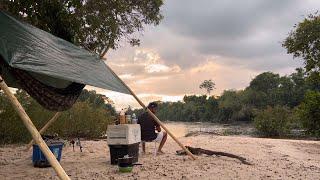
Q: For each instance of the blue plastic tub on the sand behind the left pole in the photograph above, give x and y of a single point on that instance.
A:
(38, 158)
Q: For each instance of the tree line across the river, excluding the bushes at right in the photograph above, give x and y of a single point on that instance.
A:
(265, 90)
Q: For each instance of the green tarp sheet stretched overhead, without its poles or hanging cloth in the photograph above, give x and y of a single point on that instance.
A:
(50, 59)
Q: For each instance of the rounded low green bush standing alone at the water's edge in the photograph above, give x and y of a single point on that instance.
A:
(273, 121)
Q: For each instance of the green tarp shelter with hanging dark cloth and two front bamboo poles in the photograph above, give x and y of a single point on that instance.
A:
(39, 62)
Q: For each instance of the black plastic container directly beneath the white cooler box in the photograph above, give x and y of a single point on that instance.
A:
(119, 151)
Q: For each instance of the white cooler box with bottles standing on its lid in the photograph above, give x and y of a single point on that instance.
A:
(123, 134)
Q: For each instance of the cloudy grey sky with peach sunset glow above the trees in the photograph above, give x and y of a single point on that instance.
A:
(229, 42)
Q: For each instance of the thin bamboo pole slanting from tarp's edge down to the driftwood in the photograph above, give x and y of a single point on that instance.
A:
(153, 116)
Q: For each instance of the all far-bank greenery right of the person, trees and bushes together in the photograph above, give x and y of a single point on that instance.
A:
(271, 101)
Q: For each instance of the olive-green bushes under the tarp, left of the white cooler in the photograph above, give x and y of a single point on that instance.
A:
(89, 117)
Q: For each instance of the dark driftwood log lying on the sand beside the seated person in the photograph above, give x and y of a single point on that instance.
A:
(199, 151)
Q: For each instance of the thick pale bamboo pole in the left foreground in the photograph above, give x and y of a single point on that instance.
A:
(33, 131)
